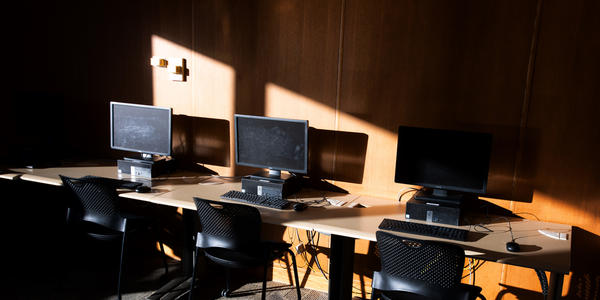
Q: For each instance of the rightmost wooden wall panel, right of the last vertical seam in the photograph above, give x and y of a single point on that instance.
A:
(563, 112)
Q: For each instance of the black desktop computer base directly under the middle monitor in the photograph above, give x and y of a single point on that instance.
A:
(270, 186)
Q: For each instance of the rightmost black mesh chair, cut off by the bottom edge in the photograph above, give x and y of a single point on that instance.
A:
(415, 269)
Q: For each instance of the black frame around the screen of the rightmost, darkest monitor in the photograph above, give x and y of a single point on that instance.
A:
(479, 191)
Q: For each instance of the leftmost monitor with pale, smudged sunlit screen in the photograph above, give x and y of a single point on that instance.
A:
(140, 128)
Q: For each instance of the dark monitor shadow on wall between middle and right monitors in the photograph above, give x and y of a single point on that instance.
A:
(350, 150)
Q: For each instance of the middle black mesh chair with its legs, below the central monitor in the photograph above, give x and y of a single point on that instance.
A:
(230, 237)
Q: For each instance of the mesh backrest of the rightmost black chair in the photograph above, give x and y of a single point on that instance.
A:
(437, 263)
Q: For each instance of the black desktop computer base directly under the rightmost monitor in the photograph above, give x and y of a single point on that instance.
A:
(436, 212)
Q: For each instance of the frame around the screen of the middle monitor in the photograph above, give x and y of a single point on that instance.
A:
(238, 162)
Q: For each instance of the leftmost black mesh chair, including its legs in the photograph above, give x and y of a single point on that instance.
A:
(98, 209)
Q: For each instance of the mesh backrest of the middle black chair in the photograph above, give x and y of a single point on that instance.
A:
(227, 225)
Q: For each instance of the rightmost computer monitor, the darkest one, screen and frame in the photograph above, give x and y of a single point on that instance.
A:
(443, 159)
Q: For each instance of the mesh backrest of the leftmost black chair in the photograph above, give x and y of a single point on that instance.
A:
(98, 199)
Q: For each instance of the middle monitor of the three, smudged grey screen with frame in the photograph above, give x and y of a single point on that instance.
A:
(276, 144)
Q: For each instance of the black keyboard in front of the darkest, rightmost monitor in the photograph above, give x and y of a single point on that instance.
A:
(424, 229)
